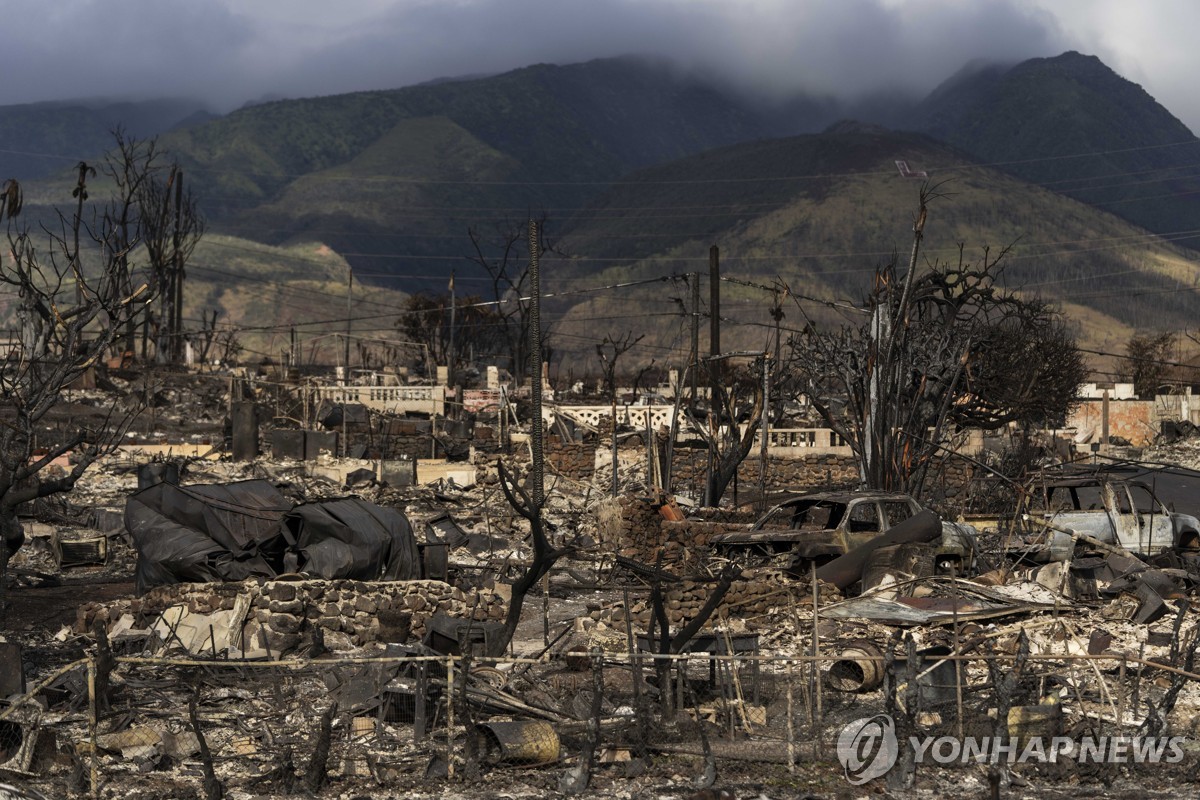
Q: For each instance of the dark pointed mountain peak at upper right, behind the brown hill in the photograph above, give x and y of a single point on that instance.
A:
(1072, 125)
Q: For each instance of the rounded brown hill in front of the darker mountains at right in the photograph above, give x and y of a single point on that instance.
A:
(821, 212)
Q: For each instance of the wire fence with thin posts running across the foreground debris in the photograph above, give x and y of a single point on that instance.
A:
(577, 723)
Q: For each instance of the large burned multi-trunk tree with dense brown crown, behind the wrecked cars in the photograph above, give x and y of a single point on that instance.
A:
(935, 352)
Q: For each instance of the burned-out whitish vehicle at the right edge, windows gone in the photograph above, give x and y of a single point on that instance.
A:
(1117, 513)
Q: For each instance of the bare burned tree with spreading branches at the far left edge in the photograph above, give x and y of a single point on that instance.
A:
(75, 292)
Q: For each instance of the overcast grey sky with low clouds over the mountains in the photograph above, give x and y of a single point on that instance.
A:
(227, 52)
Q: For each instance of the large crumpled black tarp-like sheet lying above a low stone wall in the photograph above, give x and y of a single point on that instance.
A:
(233, 532)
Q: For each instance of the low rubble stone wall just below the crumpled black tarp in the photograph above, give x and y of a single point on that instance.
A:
(281, 615)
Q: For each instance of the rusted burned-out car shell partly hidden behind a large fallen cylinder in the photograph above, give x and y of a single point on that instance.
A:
(821, 527)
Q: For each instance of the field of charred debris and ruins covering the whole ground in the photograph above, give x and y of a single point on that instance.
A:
(277, 588)
